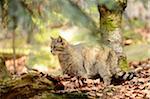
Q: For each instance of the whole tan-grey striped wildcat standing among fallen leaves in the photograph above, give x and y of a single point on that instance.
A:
(87, 61)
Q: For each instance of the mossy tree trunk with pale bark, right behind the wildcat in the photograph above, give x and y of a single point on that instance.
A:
(110, 23)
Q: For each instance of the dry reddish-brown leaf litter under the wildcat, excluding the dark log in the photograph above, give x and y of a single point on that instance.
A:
(137, 88)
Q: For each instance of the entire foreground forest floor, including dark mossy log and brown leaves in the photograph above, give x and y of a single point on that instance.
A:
(72, 87)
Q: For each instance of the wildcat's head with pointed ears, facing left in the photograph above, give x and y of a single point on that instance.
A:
(58, 45)
